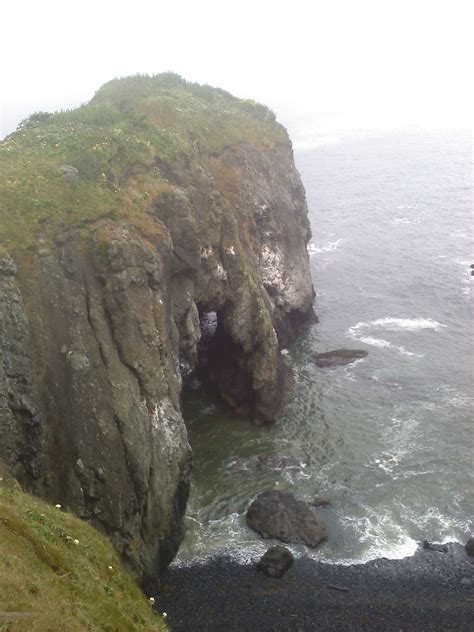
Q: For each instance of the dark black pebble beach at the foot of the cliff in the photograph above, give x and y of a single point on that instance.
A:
(427, 591)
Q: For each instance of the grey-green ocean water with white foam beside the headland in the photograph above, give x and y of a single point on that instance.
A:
(389, 439)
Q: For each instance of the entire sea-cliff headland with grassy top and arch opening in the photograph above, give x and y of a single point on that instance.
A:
(100, 310)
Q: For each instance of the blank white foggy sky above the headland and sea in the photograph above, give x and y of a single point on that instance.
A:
(379, 63)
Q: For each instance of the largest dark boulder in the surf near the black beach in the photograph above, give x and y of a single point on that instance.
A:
(275, 514)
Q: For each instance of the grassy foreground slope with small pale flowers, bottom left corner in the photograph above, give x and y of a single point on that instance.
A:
(58, 573)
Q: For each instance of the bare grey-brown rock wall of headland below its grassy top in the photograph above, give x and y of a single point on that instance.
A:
(96, 329)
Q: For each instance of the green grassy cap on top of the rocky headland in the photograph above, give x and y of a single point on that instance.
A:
(119, 143)
